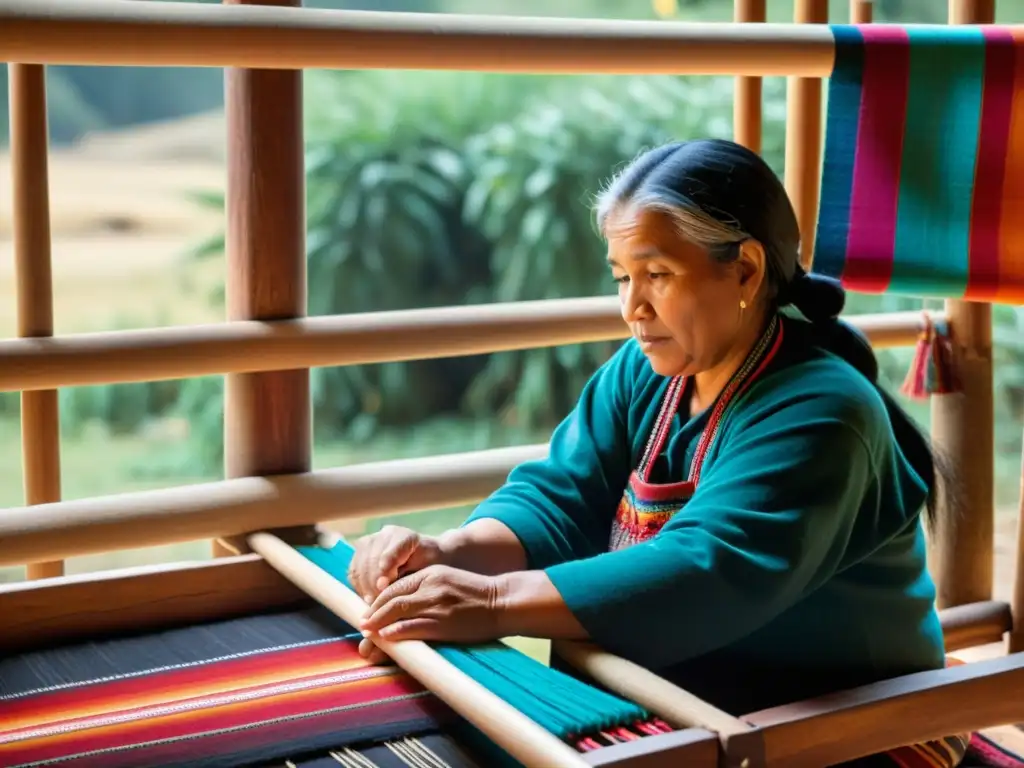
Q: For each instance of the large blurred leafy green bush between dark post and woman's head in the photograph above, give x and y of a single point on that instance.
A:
(442, 189)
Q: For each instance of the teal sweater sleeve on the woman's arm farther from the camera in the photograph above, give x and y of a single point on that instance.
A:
(562, 507)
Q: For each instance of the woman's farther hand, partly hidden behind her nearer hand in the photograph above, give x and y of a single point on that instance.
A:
(381, 559)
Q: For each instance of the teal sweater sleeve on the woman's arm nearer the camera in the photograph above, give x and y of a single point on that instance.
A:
(772, 521)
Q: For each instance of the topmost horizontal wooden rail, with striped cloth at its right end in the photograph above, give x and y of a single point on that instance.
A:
(134, 34)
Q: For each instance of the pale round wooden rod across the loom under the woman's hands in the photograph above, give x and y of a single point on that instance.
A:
(506, 727)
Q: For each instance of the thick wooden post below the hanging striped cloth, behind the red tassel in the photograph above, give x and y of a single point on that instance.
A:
(961, 551)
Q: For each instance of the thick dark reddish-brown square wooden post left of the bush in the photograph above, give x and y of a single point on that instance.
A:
(267, 415)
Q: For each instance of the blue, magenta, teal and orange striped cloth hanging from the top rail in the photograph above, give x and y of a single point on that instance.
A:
(924, 165)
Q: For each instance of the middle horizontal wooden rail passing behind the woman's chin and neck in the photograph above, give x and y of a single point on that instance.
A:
(161, 354)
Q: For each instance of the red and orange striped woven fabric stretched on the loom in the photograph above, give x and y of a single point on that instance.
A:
(305, 696)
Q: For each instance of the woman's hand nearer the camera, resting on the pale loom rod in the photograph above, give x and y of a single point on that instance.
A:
(437, 604)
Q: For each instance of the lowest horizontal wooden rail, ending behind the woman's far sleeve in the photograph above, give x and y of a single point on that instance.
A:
(63, 530)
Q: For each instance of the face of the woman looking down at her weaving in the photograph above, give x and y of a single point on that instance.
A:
(682, 307)
